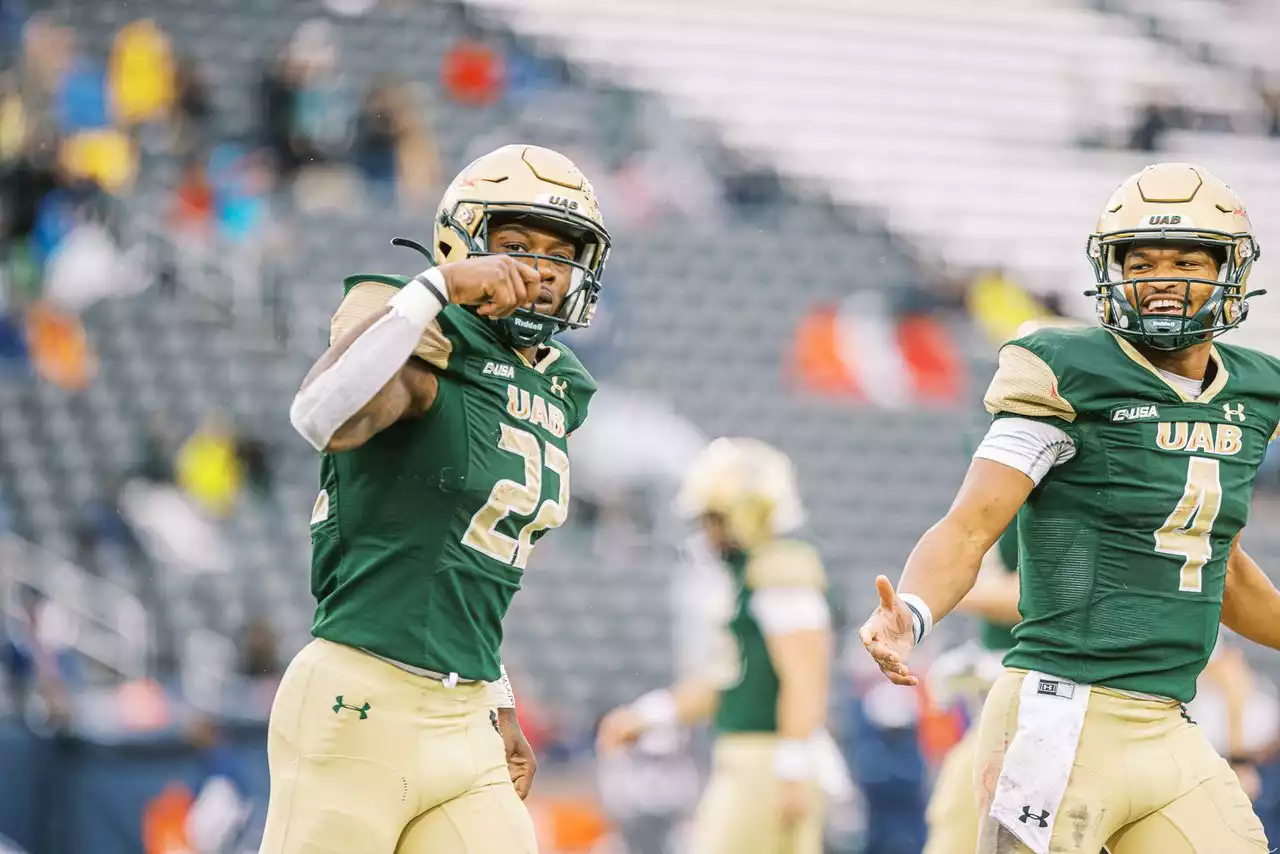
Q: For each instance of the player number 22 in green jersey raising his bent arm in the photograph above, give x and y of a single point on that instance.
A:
(444, 409)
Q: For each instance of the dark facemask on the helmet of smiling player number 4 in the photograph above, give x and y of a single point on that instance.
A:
(1224, 309)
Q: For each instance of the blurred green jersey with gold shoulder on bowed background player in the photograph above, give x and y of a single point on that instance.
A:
(747, 679)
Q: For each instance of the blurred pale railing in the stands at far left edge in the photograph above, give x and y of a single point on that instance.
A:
(112, 627)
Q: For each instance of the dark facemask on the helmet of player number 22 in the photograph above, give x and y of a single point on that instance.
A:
(529, 327)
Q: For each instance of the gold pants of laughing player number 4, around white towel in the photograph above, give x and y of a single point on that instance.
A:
(1145, 782)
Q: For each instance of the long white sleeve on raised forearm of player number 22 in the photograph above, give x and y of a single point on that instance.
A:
(333, 398)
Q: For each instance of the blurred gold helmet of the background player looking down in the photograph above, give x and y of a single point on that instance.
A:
(751, 485)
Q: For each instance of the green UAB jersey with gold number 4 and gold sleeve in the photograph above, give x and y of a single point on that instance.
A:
(1124, 547)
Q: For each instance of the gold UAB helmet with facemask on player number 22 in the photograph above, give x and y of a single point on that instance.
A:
(541, 188)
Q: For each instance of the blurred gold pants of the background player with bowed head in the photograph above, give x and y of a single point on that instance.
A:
(739, 812)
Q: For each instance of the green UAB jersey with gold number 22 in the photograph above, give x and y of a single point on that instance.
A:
(422, 536)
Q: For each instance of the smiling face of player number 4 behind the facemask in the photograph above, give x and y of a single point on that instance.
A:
(1171, 266)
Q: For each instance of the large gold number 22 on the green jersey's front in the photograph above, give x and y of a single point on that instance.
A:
(520, 499)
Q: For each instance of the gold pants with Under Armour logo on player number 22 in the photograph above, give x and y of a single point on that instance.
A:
(369, 759)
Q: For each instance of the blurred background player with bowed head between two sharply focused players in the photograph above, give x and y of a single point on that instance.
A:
(767, 693)
